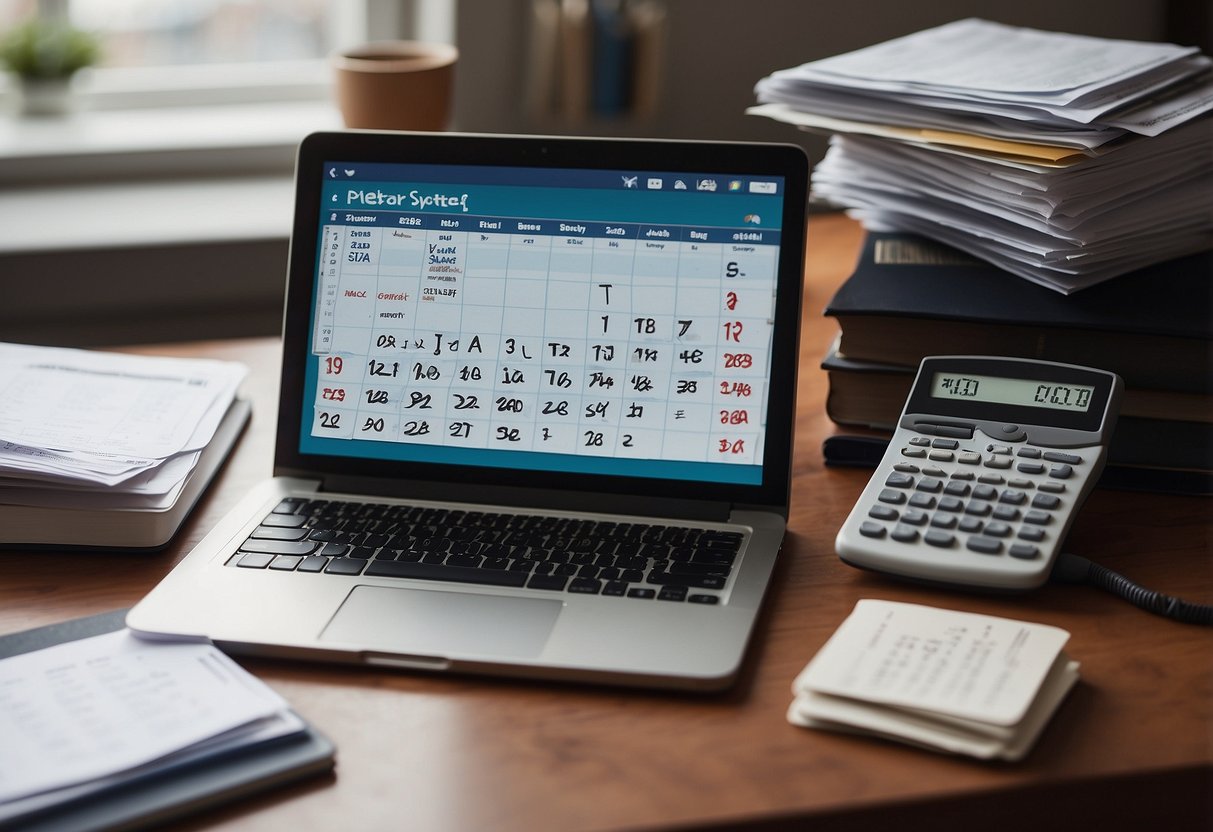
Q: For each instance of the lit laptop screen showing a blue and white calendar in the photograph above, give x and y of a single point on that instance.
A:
(566, 320)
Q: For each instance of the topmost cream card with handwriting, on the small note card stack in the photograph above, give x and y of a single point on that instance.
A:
(961, 665)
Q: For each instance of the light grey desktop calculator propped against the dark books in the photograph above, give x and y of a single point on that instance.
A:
(988, 468)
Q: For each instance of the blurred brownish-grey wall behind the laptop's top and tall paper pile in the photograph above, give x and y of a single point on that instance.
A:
(716, 50)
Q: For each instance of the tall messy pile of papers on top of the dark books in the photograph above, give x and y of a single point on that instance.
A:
(1063, 159)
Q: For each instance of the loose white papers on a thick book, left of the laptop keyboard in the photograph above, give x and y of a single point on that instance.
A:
(110, 451)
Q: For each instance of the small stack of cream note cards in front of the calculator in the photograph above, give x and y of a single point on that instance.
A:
(955, 682)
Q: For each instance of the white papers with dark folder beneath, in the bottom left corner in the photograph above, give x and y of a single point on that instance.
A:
(94, 728)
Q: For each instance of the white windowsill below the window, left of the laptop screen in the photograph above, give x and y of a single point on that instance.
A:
(149, 178)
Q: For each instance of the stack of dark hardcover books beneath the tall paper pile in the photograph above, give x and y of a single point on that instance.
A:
(910, 298)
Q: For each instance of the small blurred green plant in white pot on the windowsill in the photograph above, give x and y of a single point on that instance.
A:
(43, 56)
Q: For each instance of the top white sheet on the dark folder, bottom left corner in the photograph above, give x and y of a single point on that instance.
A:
(90, 709)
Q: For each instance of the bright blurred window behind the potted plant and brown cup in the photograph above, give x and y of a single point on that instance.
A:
(220, 52)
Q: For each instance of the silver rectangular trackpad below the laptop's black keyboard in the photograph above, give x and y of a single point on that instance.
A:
(434, 623)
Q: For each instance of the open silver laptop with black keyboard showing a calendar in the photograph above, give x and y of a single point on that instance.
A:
(536, 414)
